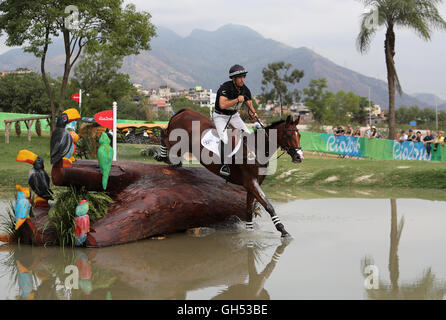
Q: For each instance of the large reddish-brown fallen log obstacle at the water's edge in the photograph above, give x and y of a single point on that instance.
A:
(149, 200)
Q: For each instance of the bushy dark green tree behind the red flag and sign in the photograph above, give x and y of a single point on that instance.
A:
(99, 77)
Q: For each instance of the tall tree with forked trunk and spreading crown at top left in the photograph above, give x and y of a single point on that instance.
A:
(84, 25)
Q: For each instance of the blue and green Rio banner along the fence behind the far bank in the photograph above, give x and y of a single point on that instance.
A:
(381, 149)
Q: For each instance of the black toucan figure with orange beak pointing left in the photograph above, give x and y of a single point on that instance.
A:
(38, 179)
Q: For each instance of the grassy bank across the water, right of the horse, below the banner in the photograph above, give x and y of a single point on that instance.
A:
(330, 171)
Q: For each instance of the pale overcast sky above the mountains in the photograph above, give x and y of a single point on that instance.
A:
(329, 27)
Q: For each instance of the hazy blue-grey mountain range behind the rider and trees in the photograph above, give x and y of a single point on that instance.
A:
(204, 57)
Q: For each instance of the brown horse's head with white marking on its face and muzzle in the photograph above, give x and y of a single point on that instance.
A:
(289, 139)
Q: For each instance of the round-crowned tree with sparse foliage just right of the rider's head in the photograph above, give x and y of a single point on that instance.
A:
(278, 76)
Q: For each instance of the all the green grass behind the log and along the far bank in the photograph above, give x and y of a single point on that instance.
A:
(324, 175)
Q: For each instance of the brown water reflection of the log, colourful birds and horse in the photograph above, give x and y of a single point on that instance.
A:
(167, 269)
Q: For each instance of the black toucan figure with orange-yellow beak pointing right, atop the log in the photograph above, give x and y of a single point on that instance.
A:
(61, 141)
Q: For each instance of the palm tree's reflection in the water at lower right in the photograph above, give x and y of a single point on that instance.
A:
(425, 287)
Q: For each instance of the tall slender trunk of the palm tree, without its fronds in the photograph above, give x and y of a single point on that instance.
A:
(389, 47)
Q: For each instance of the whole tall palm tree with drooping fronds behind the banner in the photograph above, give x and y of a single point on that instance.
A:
(421, 16)
